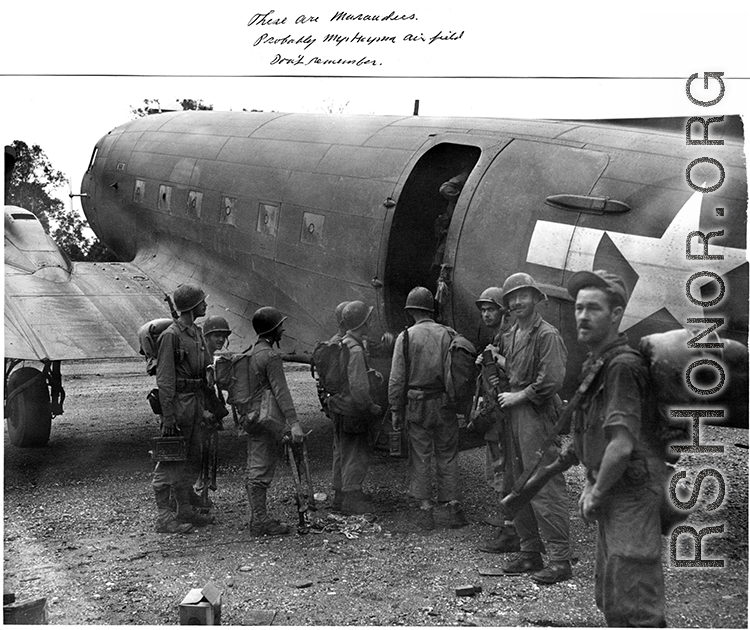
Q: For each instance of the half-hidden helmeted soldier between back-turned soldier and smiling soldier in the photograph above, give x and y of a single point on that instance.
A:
(490, 305)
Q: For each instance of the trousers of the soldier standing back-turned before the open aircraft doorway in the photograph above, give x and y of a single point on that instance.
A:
(433, 432)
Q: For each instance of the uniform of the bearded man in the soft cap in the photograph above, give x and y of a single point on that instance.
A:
(629, 585)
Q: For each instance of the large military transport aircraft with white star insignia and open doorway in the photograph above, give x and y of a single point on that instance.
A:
(302, 211)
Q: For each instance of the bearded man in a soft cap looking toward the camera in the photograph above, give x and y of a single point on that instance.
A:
(624, 476)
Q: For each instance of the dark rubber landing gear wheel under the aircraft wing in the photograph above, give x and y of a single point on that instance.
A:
(28, 408)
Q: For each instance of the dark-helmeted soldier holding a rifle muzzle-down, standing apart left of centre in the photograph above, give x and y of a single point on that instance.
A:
(262, 443)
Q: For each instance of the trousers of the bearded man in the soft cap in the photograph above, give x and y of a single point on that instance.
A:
(629, 579)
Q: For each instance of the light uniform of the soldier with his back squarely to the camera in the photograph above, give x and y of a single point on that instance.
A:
(432, 424)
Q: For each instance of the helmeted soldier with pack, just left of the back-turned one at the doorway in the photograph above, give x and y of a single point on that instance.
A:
(352, 411)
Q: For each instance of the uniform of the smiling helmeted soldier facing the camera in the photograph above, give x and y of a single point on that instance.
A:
(535, 364)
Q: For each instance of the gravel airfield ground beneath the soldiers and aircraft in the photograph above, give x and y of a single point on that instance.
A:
(78, 530)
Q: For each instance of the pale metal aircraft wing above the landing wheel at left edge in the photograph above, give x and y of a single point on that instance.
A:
(95, 313)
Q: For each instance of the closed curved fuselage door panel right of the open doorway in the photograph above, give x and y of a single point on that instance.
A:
(497, 235)
